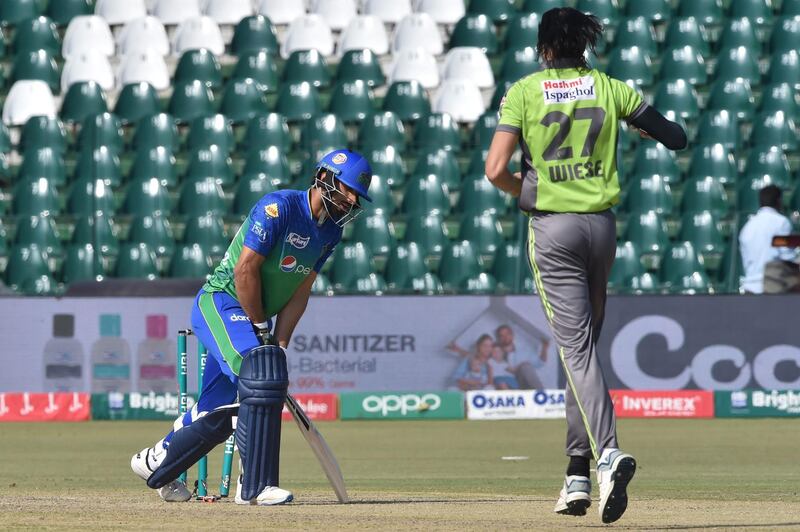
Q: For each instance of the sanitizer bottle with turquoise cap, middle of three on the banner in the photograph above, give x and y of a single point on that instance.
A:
(111, 357)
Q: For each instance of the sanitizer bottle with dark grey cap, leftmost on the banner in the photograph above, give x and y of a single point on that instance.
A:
(63, 357)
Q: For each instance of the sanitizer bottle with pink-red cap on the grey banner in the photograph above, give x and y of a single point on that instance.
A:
(157, 358)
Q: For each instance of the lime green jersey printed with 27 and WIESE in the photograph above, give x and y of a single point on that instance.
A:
(568, 122)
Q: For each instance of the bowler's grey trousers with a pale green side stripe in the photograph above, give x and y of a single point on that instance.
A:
(571, 256)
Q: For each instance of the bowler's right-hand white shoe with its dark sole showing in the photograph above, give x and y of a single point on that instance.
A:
(614, 470)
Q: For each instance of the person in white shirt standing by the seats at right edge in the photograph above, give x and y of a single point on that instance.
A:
(755, 240)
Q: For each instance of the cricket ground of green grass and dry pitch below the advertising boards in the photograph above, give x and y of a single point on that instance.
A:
(425, 475)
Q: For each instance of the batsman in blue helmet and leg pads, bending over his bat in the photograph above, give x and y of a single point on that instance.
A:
(267, 272)
